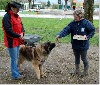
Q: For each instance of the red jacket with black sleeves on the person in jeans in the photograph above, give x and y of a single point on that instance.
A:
(12, 27)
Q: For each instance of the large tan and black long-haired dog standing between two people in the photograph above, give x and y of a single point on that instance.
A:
(37, 55)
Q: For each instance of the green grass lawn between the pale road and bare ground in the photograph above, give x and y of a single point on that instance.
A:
(49, 28)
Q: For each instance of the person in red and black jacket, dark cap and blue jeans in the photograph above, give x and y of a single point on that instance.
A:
(13, 35)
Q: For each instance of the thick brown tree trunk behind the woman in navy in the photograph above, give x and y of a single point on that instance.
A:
(88, 9)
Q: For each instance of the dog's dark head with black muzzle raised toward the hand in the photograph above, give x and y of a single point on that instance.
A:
(48, 46)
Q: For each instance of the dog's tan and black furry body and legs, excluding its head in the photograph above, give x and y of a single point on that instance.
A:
(38, 58)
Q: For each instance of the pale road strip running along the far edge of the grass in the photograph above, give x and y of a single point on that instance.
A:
(49, 15)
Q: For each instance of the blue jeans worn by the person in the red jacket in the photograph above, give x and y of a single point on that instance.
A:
(14, 54)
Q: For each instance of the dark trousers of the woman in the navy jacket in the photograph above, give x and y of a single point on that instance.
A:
(83, 55)
